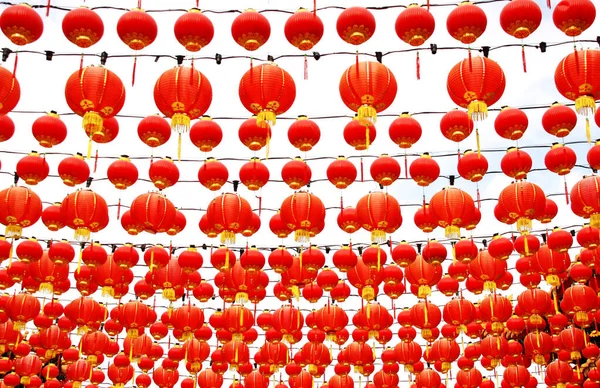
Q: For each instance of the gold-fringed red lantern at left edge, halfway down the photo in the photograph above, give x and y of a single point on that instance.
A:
(19, 208)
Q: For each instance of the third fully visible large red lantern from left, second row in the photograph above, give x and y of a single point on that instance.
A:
(267, 91)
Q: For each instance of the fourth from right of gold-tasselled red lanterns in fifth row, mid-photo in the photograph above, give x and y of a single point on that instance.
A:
(379, 213)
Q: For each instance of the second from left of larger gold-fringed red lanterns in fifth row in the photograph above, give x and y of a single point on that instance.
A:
(84, 211)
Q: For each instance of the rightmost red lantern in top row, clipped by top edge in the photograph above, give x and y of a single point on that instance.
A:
(573, 17)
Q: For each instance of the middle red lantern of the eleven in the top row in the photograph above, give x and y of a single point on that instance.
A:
(304, 29)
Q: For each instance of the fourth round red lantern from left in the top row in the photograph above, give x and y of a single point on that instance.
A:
(193, 30)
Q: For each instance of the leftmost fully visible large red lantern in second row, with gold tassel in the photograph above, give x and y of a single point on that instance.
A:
(95, 93)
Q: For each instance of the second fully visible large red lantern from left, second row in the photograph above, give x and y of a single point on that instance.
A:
(182, 94)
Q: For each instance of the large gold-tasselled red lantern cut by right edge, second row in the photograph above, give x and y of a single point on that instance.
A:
(577, 77)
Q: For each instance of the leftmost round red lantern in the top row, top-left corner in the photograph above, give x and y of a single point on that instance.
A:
(21, 24)
